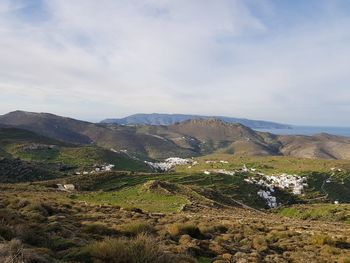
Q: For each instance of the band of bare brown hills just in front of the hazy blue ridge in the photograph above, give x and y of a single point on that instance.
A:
(182, 139)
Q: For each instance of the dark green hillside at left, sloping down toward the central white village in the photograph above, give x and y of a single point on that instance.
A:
(28, 146)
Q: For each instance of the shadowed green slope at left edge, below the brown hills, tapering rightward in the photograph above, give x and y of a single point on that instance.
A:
(43, 158)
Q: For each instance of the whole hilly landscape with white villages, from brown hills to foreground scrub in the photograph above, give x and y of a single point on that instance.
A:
(197, 191)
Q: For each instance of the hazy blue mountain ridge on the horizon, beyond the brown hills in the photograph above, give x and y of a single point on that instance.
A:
(169, 119)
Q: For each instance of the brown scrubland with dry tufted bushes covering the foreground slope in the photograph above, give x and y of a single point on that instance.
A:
(50, 225)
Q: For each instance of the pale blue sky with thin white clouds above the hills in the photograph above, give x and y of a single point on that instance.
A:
(280, 60)
